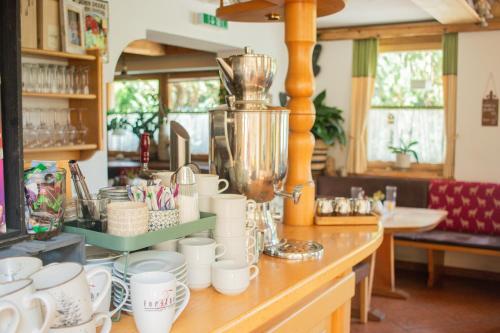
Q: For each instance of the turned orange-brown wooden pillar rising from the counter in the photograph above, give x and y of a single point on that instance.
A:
(300, 38)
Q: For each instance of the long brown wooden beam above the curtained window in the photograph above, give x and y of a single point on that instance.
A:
(402, 30)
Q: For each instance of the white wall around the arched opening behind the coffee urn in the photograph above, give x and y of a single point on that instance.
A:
(171, 22)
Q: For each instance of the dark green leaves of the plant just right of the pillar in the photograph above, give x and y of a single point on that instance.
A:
(328, 125)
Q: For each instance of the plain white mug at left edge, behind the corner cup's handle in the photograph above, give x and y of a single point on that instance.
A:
(22, 293)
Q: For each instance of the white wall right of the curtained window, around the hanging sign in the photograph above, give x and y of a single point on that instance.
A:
(477, 147)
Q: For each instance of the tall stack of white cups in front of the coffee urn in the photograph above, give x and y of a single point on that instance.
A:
(231, 225)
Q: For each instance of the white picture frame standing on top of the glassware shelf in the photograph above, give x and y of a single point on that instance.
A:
(72, 21)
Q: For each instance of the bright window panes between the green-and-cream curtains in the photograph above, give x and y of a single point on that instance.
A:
(407, 105)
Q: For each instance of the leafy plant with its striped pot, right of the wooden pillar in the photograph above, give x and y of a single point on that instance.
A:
(328, 130)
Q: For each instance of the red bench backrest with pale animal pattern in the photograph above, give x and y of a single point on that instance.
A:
(472, 207)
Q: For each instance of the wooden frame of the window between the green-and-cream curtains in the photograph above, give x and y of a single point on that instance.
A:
(417, 170)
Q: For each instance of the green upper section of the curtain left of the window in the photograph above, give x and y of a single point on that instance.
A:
(364, 59)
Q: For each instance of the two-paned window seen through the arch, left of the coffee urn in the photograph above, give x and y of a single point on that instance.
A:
(136, 101)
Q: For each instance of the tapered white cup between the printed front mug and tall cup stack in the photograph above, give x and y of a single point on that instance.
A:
(200, 254)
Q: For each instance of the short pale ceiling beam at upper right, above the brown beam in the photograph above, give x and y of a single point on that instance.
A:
(449, 11)
